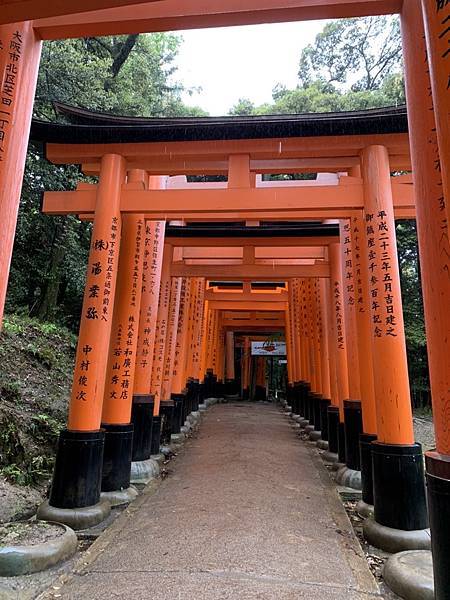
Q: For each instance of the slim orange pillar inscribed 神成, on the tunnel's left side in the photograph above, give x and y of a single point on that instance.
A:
(161, 329)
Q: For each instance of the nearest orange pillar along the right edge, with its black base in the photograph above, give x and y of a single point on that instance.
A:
(432, 200)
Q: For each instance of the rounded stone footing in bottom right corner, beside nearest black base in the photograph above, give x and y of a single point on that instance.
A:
(410, 574)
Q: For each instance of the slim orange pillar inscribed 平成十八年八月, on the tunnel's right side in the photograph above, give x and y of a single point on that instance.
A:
(339, 346)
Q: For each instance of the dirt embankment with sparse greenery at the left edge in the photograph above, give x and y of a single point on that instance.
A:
(36, 363)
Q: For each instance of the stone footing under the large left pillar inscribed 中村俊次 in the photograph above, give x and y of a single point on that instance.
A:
(76, 518)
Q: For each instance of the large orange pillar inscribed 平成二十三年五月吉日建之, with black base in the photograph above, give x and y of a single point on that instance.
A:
(399, 491)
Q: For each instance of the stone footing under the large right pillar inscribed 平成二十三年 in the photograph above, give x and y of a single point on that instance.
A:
(395, 540)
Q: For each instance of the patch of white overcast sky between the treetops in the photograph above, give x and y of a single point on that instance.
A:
(241, 62)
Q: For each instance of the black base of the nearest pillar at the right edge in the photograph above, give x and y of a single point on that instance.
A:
(438, 488)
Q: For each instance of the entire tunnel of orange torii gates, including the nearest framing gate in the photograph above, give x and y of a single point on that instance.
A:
(184, 276)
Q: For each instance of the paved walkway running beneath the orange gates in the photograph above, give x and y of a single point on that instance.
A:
(248, 512)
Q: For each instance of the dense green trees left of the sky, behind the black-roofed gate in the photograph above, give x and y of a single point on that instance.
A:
(131, 75)
